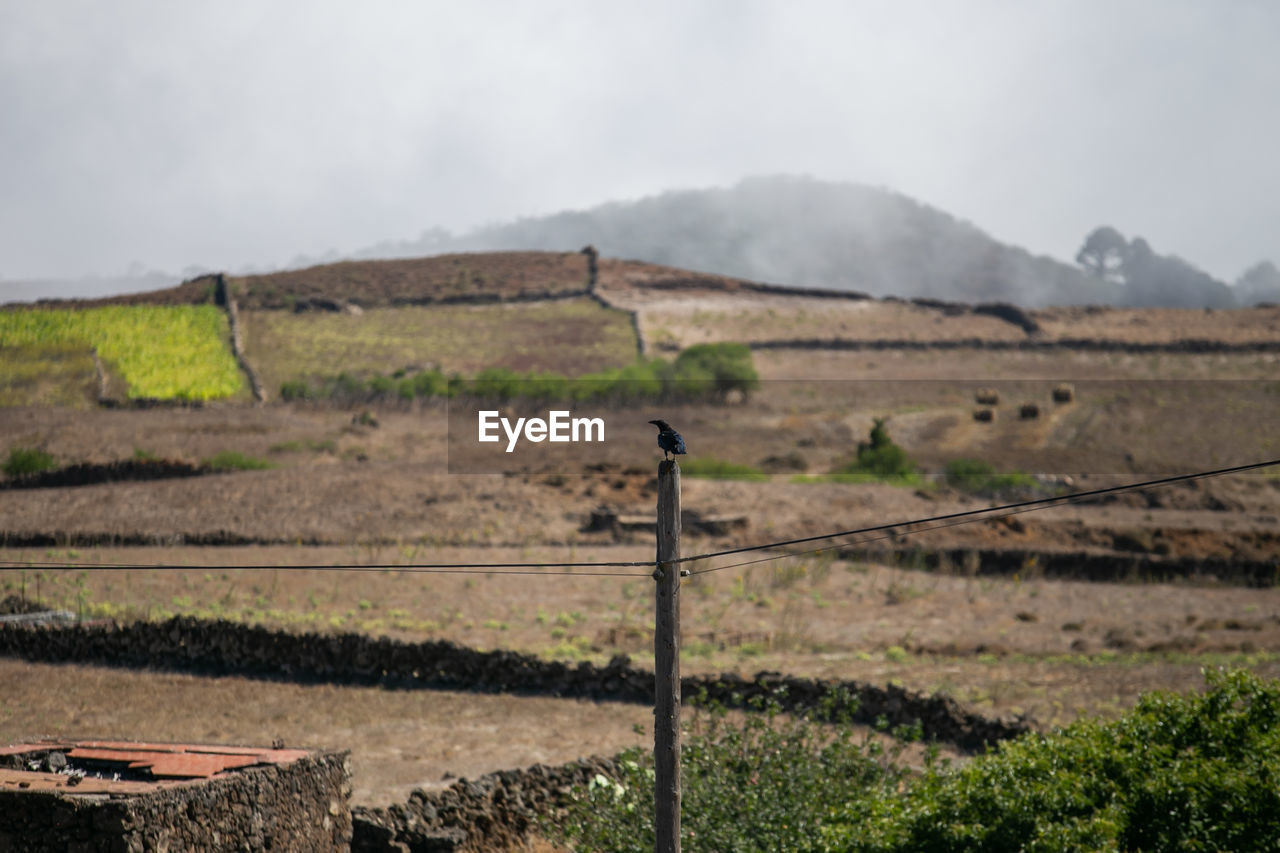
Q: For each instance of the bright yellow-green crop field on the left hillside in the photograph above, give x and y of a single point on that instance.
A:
(164, 353)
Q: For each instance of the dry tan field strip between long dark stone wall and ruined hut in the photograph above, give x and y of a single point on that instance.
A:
(400, 740)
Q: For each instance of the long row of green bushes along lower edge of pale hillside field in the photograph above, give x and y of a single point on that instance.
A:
(702, 371)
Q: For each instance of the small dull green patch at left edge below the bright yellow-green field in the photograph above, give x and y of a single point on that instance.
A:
(58, 375)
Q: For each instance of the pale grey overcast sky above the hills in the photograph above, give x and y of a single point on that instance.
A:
(245, 133)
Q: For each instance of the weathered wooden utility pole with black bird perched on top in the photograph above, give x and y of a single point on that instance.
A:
(666, 664)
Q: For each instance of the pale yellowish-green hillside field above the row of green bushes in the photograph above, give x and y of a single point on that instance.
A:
(565, 336)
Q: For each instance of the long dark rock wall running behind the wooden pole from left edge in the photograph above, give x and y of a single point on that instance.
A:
(226, 649)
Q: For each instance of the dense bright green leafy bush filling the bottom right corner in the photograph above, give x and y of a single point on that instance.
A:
(1178, 773)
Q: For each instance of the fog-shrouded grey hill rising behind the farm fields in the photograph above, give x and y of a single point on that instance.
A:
(813, 234)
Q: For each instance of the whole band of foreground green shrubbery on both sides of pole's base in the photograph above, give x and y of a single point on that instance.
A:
(1178, 773)
